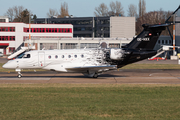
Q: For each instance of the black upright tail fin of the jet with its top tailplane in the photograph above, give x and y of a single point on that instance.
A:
(147, 39)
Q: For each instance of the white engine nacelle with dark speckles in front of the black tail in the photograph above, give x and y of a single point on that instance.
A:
(116, 54)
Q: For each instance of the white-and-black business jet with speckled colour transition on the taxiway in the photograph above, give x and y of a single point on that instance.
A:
(91, 62)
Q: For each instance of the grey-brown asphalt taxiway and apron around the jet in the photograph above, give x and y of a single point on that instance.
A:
(113, 77)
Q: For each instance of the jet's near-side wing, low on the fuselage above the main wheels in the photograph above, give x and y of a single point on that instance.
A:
(92, 68)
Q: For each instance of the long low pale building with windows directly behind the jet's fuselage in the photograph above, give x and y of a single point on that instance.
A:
(76, 43)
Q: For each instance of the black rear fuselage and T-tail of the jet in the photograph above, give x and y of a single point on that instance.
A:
(142, 46)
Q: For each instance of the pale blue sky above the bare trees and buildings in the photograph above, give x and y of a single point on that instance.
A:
(82, 8)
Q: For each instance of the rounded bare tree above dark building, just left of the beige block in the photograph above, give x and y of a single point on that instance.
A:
(102, 10)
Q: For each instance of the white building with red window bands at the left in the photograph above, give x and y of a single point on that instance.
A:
(12, 35)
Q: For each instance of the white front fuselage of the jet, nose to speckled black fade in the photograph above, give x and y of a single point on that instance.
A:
(58, 60)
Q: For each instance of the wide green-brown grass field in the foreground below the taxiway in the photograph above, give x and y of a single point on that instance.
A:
(89, 102)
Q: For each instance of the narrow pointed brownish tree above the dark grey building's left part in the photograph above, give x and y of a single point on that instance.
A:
(64, 10)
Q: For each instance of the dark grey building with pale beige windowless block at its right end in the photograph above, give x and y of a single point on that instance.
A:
(106, 27)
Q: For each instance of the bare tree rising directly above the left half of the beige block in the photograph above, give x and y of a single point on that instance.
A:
(116, 9)
